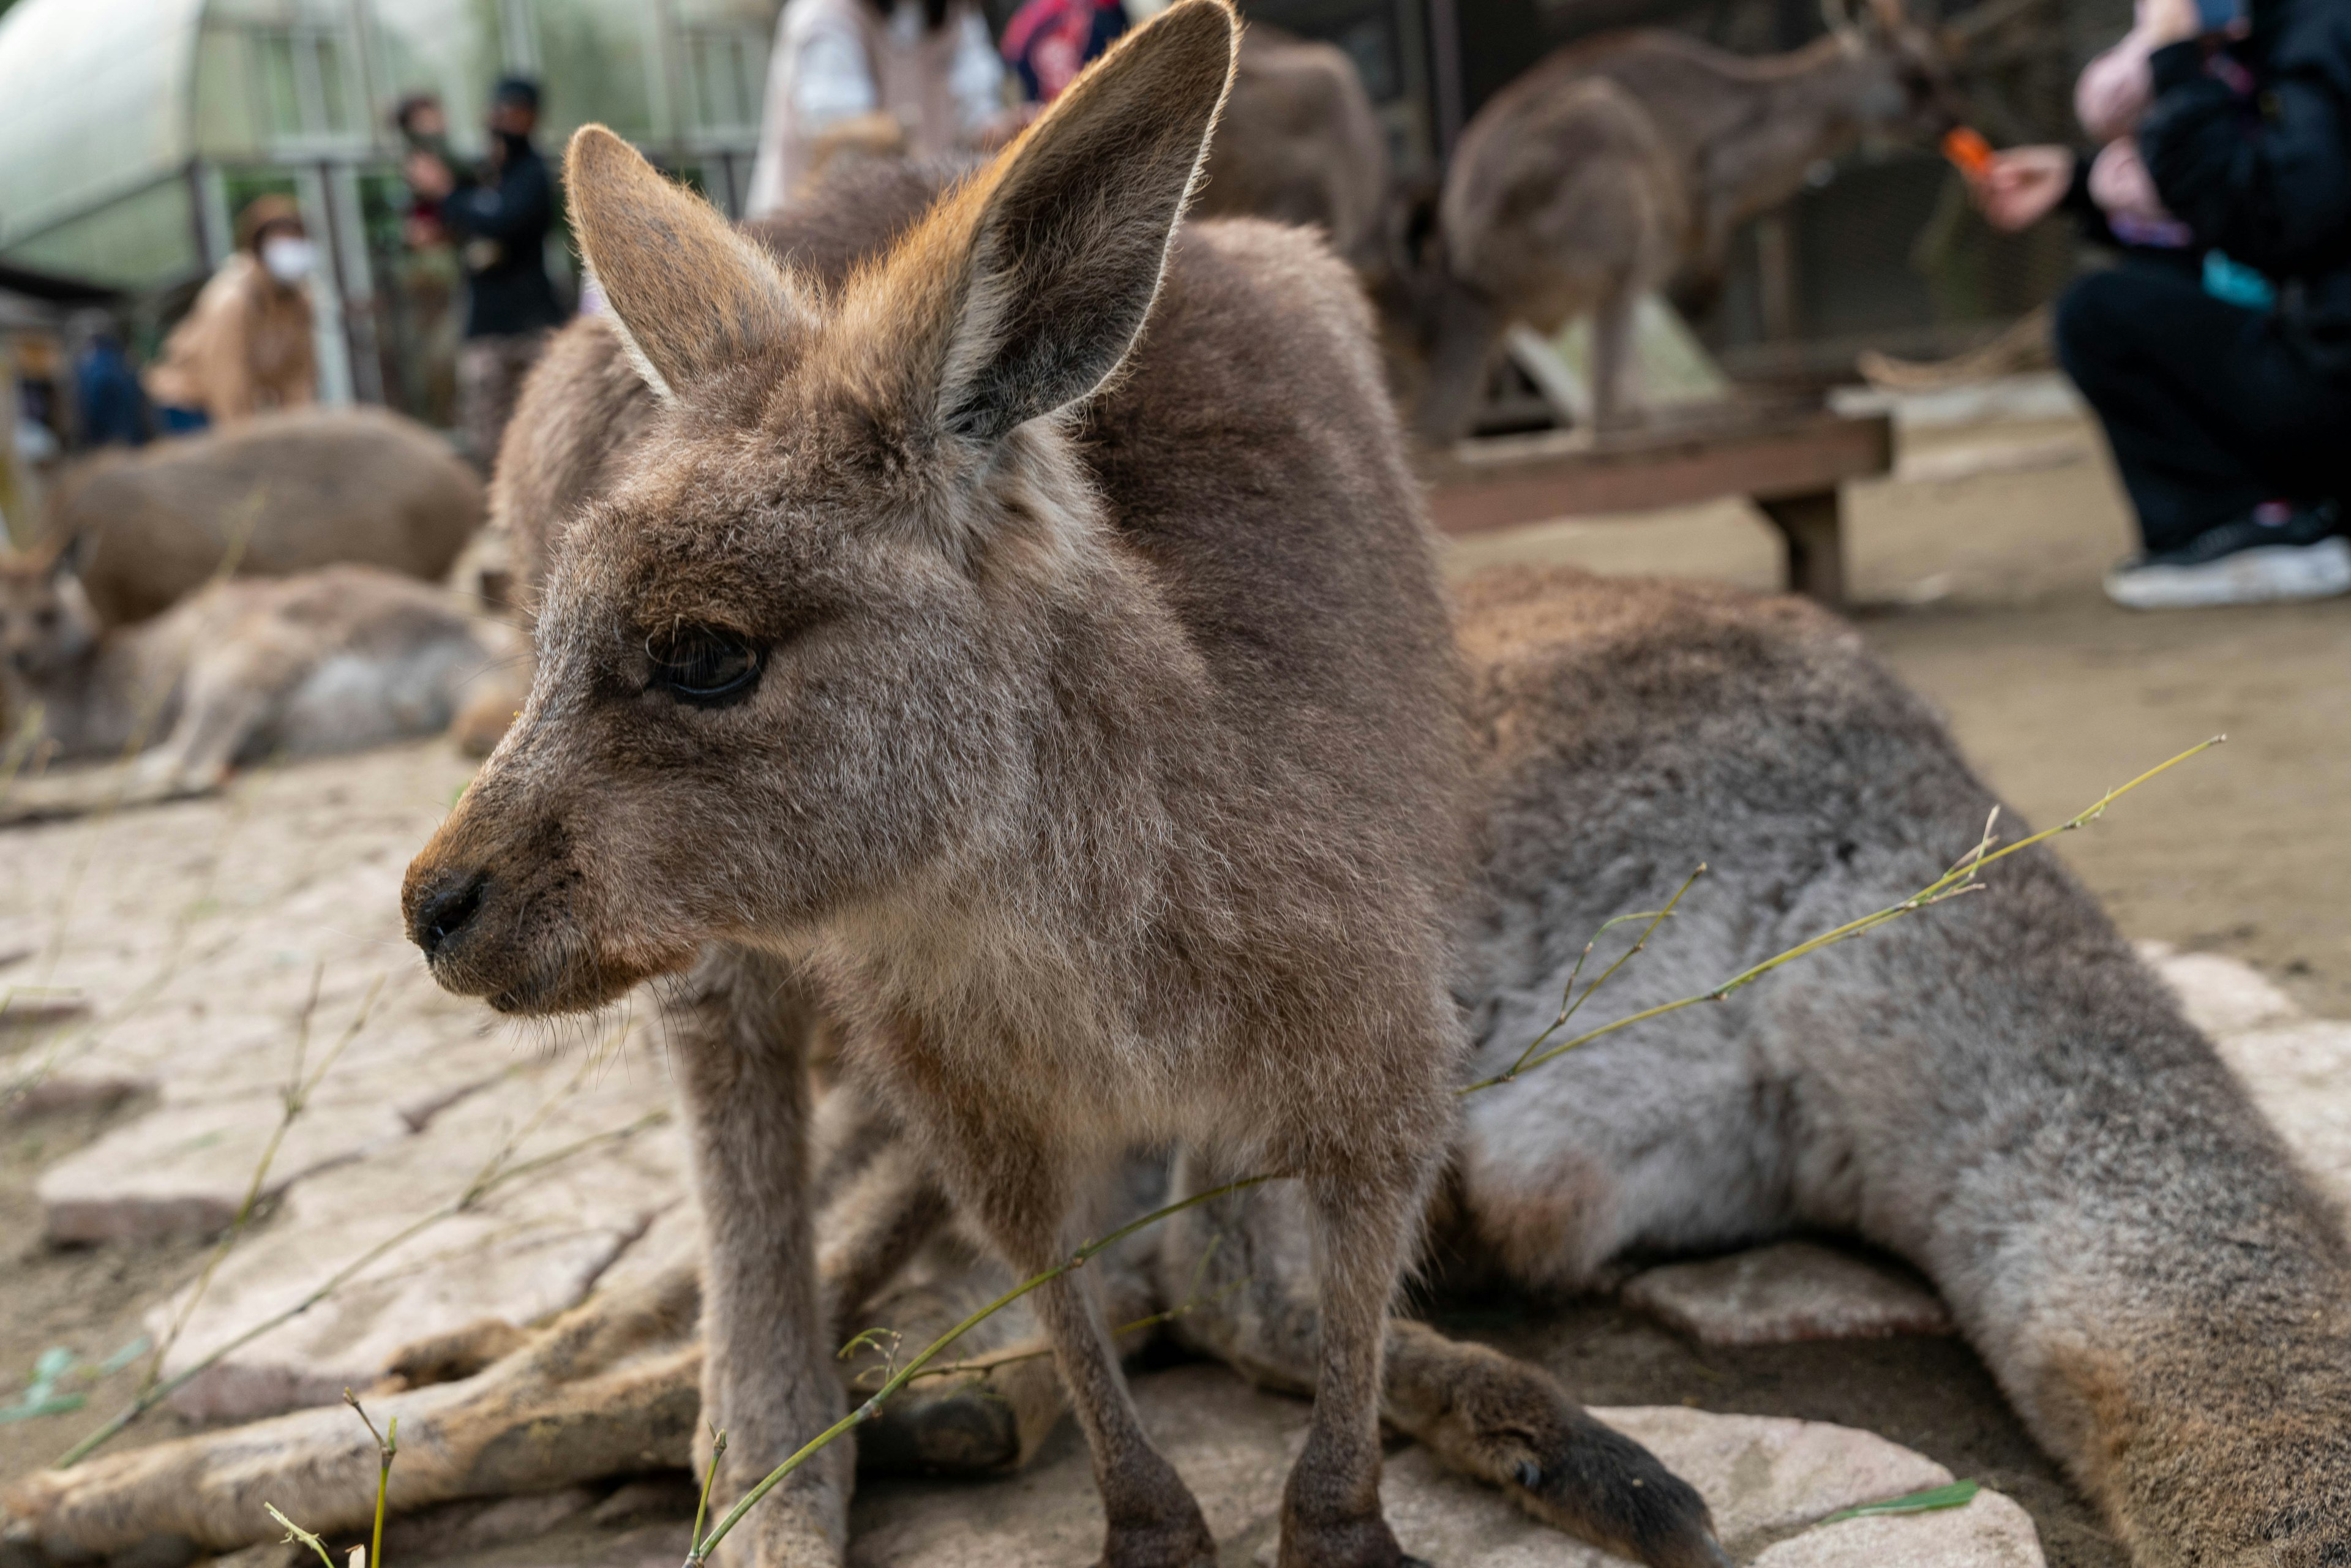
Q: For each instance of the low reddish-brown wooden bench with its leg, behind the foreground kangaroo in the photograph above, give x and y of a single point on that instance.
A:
(1790, 462)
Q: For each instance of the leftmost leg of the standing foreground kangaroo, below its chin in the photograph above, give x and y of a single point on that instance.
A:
(739, 1031)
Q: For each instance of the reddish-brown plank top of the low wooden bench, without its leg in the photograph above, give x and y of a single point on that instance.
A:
(1518, 481)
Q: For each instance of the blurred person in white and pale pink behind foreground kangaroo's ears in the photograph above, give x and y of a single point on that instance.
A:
(897, 76)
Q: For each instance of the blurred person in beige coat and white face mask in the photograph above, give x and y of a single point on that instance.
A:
(248, 342)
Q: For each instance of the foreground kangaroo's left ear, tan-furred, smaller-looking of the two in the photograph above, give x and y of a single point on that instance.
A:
(688, 293)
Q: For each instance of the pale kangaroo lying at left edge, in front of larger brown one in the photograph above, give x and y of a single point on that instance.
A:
(323, 662)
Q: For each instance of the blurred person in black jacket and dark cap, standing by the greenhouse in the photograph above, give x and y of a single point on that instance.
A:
(500, 220)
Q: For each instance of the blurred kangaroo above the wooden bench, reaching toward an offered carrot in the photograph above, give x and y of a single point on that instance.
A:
(1623, 163)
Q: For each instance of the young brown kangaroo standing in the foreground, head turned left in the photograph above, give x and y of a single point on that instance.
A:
(1111, 791)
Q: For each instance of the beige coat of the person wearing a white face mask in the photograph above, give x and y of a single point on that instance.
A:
(246, 347)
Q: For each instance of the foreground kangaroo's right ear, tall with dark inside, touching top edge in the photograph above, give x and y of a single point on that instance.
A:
(1073, 225)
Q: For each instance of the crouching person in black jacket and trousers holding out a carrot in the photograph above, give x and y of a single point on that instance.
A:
(2230, 420)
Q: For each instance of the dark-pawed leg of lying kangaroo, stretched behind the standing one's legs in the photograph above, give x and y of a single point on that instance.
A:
(1238, 1278)
